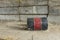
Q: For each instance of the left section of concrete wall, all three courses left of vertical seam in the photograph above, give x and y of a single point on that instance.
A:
(9, 10)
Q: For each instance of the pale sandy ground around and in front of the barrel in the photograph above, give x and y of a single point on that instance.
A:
(12, 30)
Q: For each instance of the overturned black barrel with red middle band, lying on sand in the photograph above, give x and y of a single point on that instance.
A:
(37, 23)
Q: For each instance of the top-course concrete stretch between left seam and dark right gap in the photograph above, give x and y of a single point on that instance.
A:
(32, 2)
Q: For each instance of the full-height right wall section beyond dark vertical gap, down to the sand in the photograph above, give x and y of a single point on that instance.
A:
(54, 11)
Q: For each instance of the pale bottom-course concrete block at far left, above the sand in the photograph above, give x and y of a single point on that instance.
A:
(9, 17)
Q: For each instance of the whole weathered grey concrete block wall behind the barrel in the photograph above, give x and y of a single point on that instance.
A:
(23, 9)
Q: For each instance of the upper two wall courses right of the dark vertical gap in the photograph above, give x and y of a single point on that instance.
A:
(54, 7)
